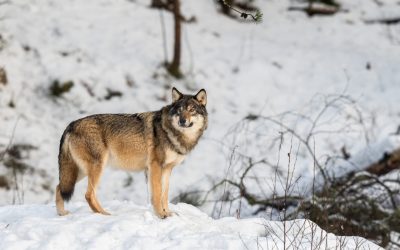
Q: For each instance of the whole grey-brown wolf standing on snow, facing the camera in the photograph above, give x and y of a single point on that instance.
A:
(154, 142)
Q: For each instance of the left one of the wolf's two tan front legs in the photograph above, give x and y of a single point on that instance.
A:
(155, 176)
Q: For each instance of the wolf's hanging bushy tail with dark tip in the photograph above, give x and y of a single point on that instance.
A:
(68, 169)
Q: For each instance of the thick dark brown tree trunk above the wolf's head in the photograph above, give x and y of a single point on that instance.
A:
(173, 68)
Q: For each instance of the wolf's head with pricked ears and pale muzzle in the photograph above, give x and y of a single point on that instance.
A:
(188, 112)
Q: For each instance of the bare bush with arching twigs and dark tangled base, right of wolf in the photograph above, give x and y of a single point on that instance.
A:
(356, 200)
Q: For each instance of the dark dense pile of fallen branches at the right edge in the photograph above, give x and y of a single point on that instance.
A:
(348, 205)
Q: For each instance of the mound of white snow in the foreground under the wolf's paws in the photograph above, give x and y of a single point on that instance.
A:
(136, 227)
